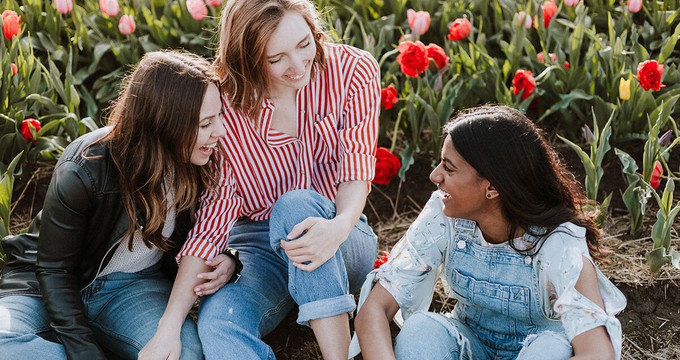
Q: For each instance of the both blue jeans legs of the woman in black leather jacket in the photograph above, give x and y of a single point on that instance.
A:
(123, 309)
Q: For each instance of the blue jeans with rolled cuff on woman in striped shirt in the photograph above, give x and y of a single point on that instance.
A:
(232, 321)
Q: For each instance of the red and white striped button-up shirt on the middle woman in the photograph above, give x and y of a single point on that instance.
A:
(337, 114)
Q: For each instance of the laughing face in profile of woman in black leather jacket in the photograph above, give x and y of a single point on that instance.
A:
(210, 127)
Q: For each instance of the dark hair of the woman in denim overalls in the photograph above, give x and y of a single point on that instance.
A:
(535, 188)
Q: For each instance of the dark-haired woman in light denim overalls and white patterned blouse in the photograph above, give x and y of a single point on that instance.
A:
(508, 233)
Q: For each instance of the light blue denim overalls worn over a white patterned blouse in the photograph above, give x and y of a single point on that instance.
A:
(499, 313)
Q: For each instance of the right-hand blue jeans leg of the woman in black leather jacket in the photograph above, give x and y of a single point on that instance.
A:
(124, 309)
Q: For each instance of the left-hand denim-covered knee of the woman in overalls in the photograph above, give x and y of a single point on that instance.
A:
(427, 336)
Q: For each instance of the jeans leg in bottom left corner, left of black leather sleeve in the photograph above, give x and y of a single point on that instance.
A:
(23, 328)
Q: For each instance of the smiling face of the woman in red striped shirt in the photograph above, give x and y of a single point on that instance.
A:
(290, 54)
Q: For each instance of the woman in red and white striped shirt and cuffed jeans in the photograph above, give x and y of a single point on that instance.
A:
(302, 116)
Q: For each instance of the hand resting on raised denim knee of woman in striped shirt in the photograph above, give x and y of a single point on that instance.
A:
(320, 240)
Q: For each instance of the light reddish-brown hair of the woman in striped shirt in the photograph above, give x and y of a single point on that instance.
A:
(245, 28)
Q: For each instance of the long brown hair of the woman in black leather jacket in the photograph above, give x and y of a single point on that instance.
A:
(155, 123)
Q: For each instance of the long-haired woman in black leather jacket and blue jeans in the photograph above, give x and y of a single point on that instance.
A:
(118, 207)
